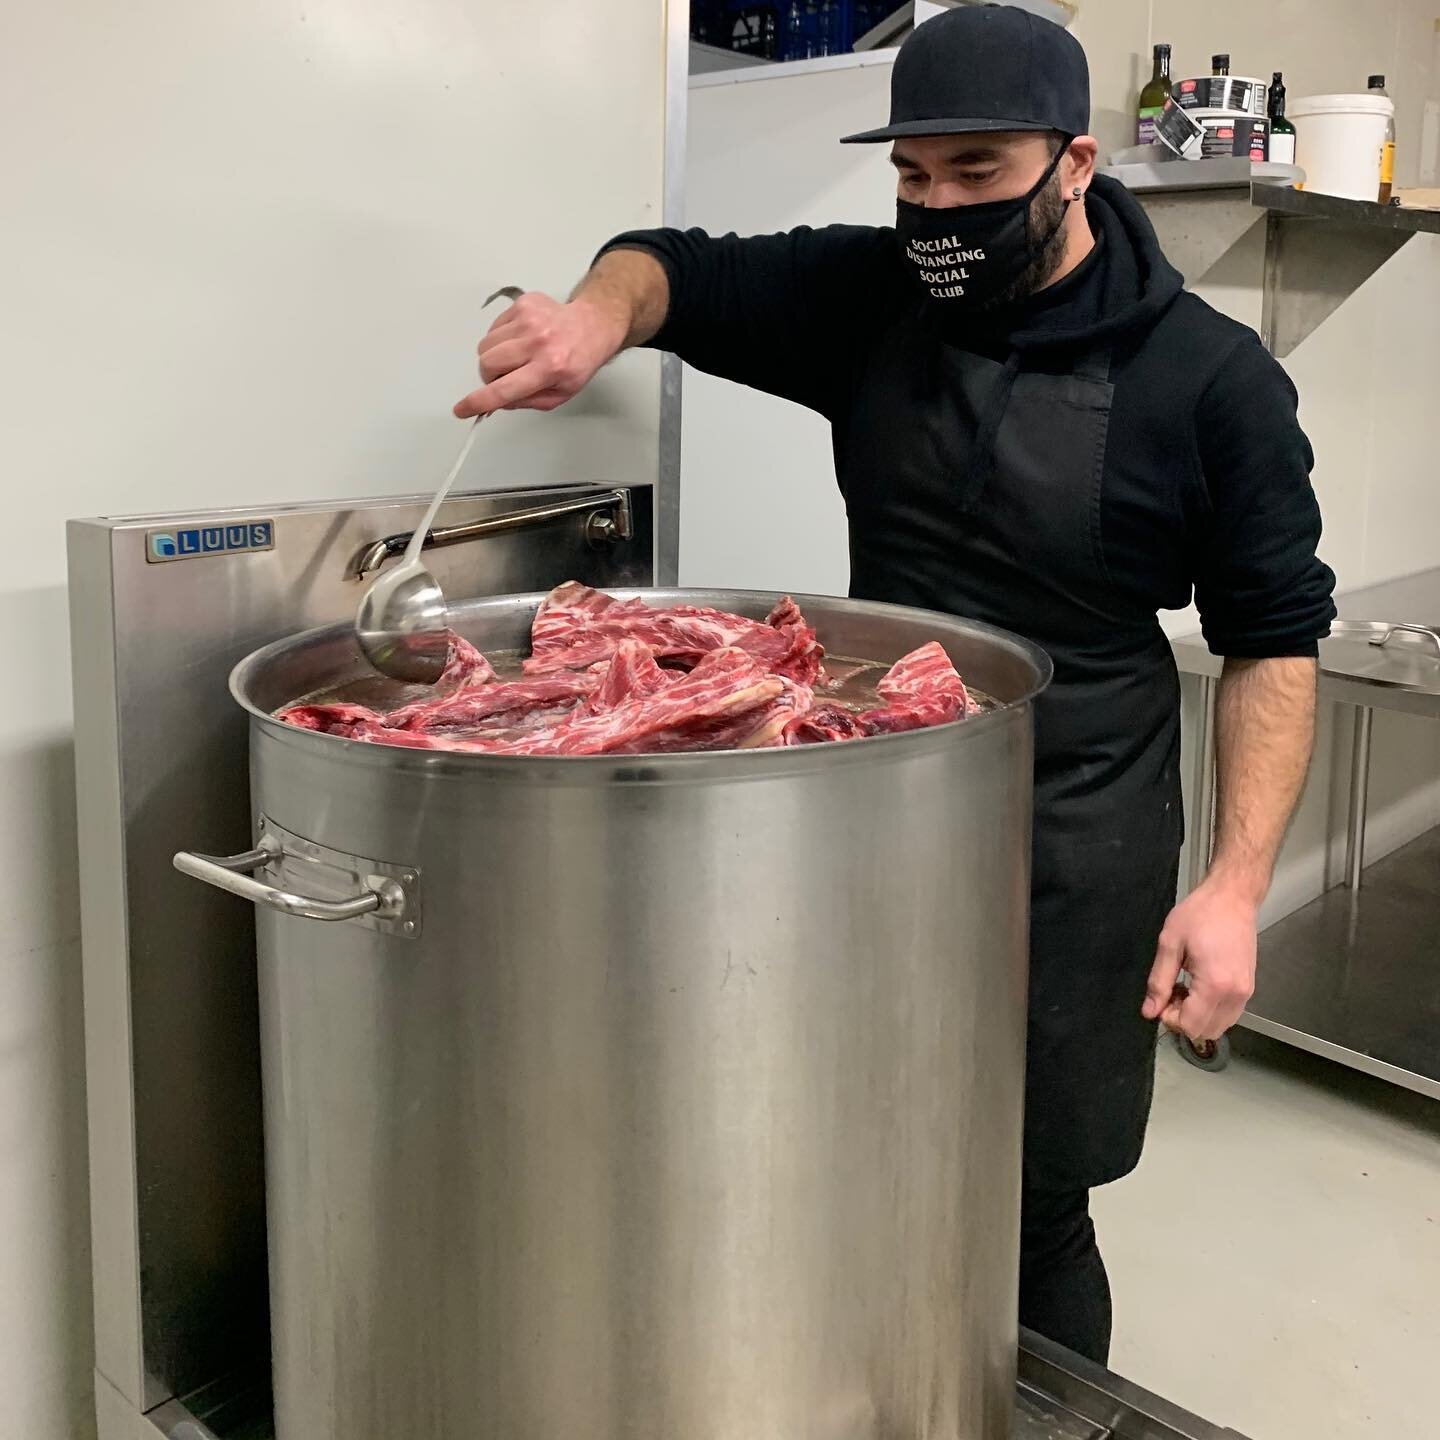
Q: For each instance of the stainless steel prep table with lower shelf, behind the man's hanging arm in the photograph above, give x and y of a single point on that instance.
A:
(1354, 976)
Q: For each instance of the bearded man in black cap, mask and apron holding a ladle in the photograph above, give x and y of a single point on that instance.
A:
(1033, 427)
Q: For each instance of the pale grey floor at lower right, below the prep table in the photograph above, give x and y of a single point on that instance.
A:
(1277, 1259)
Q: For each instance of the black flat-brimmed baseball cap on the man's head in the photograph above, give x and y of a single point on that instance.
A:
(987, 68)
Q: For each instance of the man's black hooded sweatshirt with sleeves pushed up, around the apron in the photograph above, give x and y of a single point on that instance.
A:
(1206, 487)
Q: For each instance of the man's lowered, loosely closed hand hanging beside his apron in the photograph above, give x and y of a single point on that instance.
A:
(1213, 937)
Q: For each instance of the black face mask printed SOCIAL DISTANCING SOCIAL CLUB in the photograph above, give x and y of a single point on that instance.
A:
(968, 256)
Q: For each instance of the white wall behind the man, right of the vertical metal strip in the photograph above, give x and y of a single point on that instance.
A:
(761, 505)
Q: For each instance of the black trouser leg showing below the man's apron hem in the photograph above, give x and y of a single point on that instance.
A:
(1065, 1292)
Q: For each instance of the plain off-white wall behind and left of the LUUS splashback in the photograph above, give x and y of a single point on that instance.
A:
(243, 258)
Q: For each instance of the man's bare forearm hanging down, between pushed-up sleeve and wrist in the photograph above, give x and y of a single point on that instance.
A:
(1265, 732)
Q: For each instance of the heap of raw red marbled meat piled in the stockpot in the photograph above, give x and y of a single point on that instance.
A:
(623, 678)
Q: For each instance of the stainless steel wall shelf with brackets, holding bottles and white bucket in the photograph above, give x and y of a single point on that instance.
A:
(1318, 248)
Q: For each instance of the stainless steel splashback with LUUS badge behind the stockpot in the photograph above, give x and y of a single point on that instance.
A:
(162, 607)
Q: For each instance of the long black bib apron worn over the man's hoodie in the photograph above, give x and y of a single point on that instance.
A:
(1016, 541)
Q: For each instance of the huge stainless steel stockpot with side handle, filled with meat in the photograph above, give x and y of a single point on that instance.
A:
(662, 1098)
